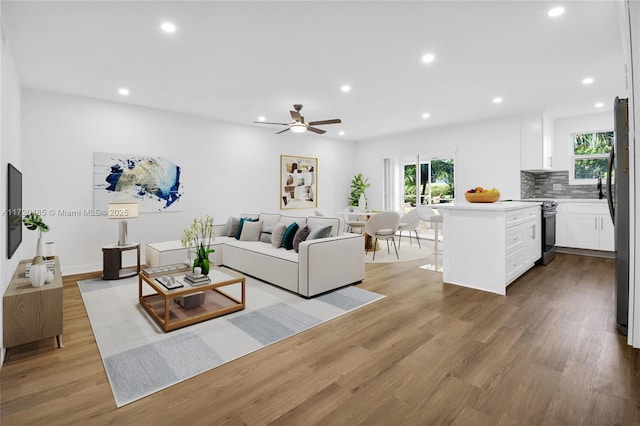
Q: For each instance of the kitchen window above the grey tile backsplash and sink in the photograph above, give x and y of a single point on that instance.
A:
(590, 156)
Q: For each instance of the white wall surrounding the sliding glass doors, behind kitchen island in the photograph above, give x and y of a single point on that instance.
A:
(487, 154)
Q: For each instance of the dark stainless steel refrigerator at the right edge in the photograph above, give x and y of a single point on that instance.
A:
(618, 199)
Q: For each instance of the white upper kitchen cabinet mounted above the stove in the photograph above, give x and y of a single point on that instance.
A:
(536, 142)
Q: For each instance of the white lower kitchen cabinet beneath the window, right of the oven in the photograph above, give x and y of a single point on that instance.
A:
(585, 225)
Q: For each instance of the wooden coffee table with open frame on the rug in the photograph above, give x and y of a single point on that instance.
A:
(170, 315)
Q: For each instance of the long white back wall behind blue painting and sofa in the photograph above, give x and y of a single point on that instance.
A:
(226, 169)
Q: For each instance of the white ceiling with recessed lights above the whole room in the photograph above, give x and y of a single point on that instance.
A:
(235, 61)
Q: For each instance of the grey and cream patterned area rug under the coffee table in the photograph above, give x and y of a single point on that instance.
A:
(140, 358)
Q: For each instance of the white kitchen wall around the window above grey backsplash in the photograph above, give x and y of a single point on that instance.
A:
(566, 127)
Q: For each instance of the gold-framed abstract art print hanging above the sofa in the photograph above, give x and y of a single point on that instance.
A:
(298, 182)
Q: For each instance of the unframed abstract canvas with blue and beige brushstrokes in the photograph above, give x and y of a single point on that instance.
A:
(152, 182)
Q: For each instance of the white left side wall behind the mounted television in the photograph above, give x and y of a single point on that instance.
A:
(9, 153)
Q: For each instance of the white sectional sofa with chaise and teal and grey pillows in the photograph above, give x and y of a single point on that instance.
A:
(320, 264)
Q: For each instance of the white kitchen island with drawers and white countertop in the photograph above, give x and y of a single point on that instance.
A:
(488, 245)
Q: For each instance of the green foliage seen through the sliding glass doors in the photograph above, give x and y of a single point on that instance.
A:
(441, 178)
